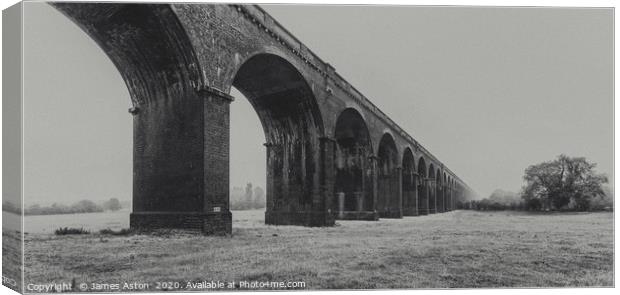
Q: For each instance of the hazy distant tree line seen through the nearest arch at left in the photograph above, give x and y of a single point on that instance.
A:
(83, 206)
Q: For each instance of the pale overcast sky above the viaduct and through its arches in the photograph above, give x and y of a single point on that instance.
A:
(488, 91)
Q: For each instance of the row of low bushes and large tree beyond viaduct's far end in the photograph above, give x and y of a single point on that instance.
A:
(564, 184)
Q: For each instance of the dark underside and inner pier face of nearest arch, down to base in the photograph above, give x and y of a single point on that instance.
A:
(149, 47)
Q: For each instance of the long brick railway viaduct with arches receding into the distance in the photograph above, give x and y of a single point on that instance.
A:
(331, 153)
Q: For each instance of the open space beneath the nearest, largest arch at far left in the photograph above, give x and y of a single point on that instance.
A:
(79, 146)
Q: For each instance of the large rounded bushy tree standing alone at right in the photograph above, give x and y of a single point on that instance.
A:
(555, 184)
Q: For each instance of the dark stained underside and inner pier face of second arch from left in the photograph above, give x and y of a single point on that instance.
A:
(290, 118)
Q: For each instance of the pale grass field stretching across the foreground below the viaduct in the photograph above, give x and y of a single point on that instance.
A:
(459, 249)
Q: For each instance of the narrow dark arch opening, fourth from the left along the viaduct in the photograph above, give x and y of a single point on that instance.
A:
(388, 184)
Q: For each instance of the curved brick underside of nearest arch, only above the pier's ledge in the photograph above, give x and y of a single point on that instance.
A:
(146, 43)
